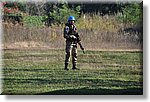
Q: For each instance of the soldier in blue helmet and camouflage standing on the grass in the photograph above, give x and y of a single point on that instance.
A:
(72, 38)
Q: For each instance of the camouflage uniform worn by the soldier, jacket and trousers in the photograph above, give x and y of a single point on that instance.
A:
(71, 44)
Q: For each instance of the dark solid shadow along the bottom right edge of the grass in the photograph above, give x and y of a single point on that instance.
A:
(85, 91)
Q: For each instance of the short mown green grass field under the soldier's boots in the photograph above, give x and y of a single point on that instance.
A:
(40, 71)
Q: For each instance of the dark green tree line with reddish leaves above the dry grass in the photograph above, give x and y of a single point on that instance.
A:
(57, 12)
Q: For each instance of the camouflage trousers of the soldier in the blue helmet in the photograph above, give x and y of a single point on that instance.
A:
(71, 49)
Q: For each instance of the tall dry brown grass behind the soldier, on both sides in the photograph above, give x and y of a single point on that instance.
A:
(97, 32)
